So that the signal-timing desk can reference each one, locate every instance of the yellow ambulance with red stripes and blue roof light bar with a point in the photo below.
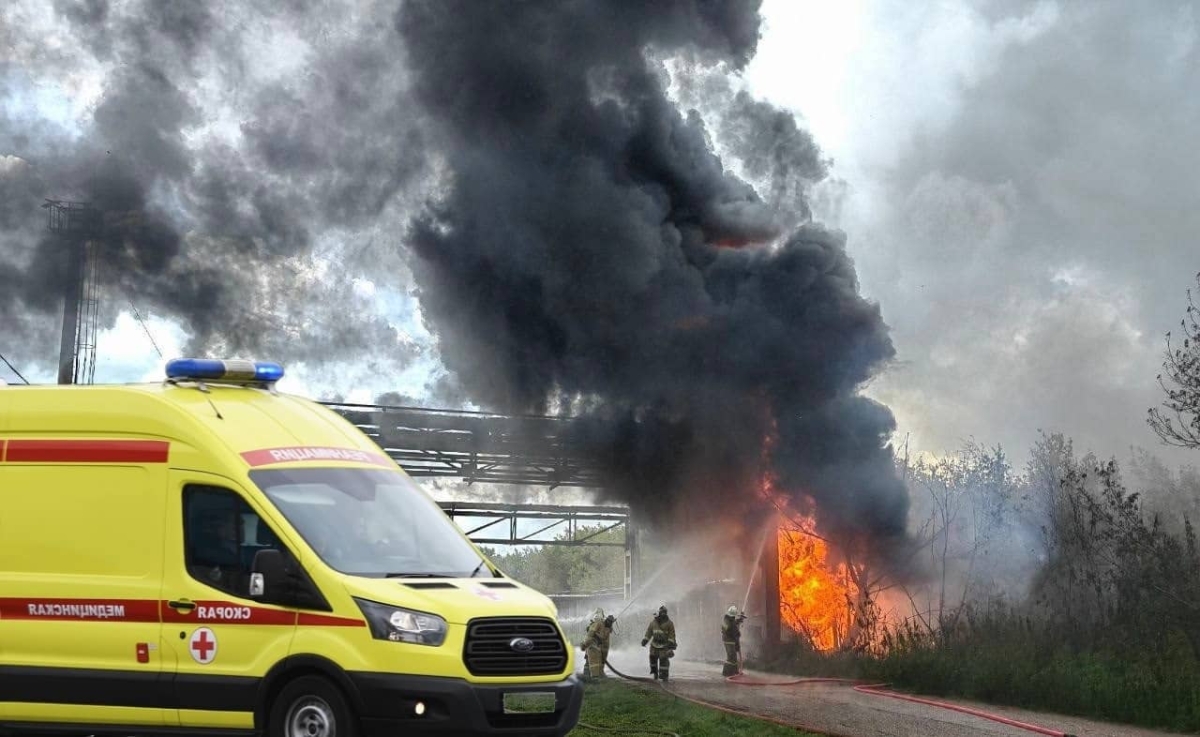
(207, 555)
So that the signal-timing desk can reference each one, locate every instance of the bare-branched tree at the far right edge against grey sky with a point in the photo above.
(1178, 423)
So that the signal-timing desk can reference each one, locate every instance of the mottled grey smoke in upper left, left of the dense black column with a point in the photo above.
(223, 232)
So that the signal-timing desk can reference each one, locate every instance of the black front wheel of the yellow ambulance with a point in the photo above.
(311, 706)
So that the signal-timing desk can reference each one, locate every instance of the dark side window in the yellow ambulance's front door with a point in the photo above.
(221, 537)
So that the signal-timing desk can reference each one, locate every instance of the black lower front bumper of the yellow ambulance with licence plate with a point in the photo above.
(457, 708)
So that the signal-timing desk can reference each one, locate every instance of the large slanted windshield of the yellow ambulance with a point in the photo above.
(370, 523)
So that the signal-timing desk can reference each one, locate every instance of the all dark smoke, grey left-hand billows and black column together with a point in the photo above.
(584, 248)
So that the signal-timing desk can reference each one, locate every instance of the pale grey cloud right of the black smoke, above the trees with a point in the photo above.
(1037, 237)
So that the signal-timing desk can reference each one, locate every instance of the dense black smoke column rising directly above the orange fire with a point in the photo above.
(592, 253)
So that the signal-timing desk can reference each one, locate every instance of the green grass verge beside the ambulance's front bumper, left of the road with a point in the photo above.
(628, 706)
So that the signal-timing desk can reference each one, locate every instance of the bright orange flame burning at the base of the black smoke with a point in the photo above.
(815, 598)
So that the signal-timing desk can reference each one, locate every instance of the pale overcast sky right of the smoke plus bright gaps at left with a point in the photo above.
(1018, 183)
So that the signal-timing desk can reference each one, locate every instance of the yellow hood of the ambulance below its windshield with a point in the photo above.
(457, 601)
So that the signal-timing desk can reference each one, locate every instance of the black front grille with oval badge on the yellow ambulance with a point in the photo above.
(487, 650)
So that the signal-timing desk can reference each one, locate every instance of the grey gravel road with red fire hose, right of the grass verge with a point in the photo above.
(843, 711)
